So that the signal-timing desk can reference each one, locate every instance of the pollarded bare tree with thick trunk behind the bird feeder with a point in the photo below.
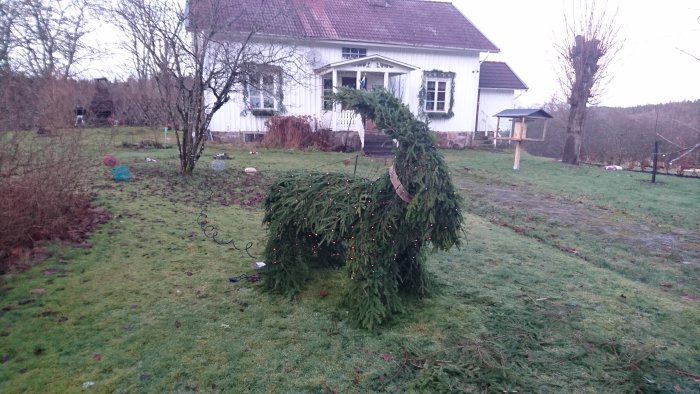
(591, 42)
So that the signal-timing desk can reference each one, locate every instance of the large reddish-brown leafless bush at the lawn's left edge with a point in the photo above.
(41, 193)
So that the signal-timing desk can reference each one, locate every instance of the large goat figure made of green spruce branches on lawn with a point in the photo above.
(322, 219)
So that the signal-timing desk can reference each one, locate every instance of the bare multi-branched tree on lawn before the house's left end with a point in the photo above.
(200, 55)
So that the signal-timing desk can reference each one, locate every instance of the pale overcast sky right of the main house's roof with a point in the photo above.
(650, 68)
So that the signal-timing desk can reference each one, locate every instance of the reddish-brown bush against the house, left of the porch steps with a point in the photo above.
(294, 132)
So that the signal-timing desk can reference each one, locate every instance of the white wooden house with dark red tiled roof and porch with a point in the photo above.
(426, 52)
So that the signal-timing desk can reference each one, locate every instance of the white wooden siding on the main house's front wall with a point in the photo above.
(305, 97)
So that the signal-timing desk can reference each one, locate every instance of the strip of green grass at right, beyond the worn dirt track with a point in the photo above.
(672, 200)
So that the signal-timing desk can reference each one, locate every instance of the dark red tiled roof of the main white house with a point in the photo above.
(404, 22)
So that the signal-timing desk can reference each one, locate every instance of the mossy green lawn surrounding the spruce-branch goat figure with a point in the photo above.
(570, 279)
